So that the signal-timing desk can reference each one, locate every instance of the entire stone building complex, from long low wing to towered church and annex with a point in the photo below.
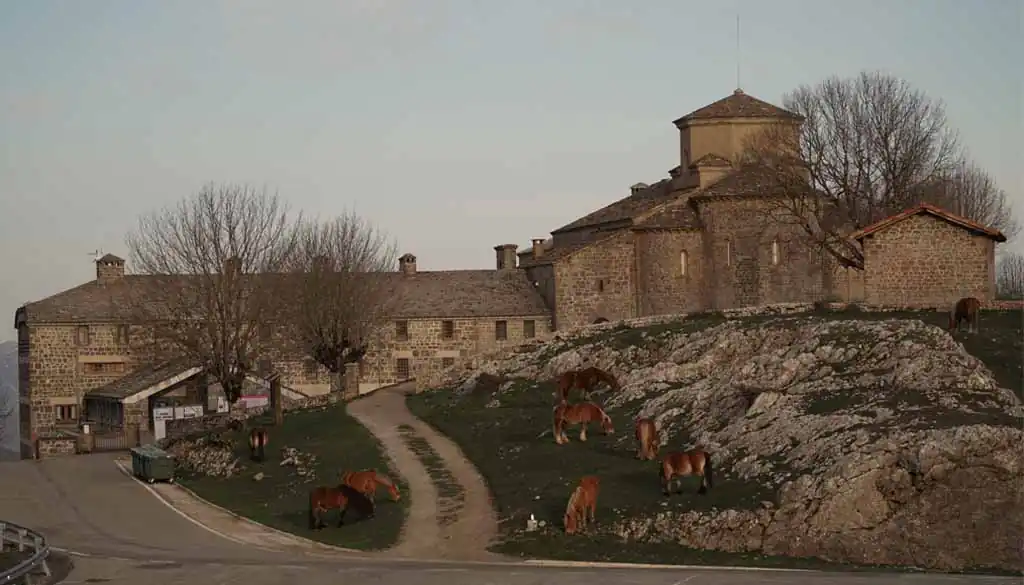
(696, 240)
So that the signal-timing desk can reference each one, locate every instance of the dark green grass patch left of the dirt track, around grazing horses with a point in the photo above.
(281, 498)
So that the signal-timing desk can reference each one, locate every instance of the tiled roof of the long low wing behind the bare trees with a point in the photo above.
(426, 295)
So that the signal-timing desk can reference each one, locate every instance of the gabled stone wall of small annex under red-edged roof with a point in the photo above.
(927, 263)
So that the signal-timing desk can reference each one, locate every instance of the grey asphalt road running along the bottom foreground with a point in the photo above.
(117, 533)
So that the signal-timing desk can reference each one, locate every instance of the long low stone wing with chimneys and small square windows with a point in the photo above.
(77, 350)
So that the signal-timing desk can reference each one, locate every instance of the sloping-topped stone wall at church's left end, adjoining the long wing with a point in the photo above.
(596, 282)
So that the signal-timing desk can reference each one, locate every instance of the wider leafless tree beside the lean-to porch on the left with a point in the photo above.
(215, 264)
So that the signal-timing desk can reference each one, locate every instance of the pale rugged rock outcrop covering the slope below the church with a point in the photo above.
(881, 442)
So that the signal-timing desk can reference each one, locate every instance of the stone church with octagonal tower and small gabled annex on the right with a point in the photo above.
(704, 238)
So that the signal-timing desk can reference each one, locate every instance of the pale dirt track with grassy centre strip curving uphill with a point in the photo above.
(436, 529)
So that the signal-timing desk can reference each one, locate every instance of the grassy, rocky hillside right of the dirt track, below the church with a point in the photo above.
(869, 439)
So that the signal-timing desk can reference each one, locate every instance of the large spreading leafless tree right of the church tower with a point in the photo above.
(870, 147)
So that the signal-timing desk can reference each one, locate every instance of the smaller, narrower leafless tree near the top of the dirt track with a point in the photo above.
(344, 286)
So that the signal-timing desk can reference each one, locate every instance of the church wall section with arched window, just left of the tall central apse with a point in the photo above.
(665, 287)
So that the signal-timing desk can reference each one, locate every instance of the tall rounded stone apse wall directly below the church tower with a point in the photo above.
(739, 257)
